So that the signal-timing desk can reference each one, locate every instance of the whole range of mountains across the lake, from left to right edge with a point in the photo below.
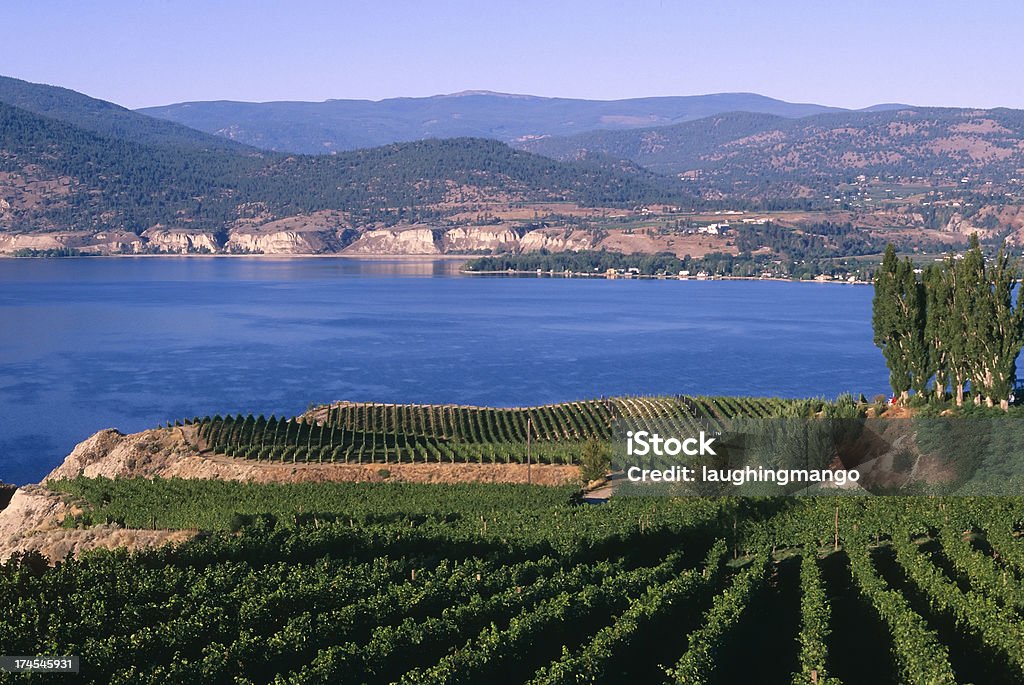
(73, 163)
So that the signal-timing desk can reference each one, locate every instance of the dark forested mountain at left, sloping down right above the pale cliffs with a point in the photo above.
(55, 176)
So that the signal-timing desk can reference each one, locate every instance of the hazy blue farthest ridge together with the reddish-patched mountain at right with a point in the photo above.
(738, 145)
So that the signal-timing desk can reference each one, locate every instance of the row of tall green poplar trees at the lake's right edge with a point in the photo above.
(953, 328)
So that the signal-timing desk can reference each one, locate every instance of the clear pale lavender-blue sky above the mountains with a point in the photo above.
(854, 55)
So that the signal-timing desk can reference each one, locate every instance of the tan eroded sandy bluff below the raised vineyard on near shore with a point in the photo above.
(33, 519)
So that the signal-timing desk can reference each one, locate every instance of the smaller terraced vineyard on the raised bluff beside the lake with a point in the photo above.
(353, 433)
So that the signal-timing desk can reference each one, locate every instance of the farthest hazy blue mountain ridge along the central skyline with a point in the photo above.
(339, 125)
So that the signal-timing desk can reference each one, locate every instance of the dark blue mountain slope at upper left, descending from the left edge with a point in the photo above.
(105, 118)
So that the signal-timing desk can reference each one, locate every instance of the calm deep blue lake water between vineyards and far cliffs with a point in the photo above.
(88, 345)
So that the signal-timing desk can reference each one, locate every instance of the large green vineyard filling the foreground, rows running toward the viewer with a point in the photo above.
(398, 583)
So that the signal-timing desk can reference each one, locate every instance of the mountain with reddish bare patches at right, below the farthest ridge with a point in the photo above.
(755, 149)
